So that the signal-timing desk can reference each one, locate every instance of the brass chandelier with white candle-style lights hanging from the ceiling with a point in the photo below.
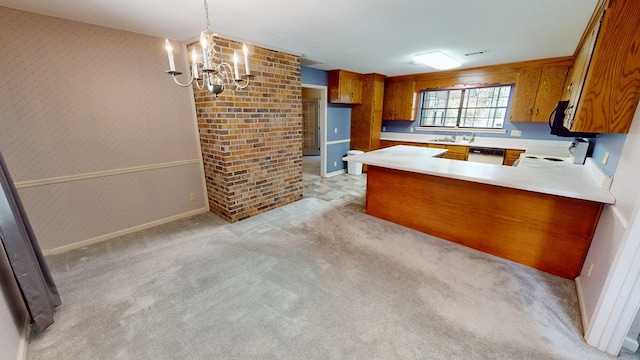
(211, 72)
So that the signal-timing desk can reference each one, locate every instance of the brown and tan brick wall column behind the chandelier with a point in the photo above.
(251, 139)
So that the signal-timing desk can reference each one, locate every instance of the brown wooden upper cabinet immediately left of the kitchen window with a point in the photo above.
(399, 100)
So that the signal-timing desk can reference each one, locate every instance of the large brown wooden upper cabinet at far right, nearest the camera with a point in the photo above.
(604, 86)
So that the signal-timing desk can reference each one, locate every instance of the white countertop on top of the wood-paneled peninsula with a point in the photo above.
(554, 178)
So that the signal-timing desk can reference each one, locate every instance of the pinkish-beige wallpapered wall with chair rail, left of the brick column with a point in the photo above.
(97, 138)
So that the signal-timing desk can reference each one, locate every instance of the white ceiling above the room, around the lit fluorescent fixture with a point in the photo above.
(359, 35)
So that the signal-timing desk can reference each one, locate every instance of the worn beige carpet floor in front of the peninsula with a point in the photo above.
(317, 279)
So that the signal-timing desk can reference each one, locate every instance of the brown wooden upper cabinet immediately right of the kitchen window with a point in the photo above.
(536, 93)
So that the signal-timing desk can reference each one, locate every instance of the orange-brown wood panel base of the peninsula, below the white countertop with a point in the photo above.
(547, 232)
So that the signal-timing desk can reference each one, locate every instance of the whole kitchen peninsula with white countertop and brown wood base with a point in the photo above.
(540, 217)
